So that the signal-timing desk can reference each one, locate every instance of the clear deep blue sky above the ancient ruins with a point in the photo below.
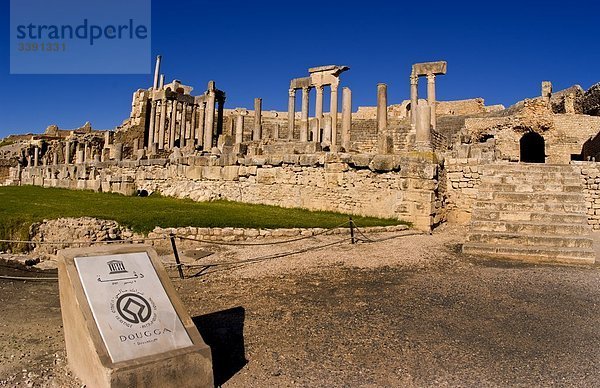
(499, 50)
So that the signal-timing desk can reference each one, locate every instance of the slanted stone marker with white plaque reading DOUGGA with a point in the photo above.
(124, 324)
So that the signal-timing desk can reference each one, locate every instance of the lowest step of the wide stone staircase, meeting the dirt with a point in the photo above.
(562, 255)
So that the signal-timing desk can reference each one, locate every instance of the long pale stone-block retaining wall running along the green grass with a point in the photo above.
(401, 187)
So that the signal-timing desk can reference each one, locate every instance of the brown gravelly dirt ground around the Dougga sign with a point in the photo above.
(408, 311)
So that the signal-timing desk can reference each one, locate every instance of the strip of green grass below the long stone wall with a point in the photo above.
(20, 206)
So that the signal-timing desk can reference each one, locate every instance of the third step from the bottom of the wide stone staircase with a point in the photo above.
(533, 228)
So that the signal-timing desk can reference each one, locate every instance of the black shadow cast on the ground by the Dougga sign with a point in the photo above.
(223, 331)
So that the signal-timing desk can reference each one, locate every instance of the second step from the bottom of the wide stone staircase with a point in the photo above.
(521, 239)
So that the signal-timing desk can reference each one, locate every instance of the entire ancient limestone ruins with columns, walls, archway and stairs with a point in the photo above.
(420, 160)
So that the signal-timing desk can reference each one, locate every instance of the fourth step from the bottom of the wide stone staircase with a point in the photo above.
(561, 217)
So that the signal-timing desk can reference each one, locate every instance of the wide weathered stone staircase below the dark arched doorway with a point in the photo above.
(531, 212)
